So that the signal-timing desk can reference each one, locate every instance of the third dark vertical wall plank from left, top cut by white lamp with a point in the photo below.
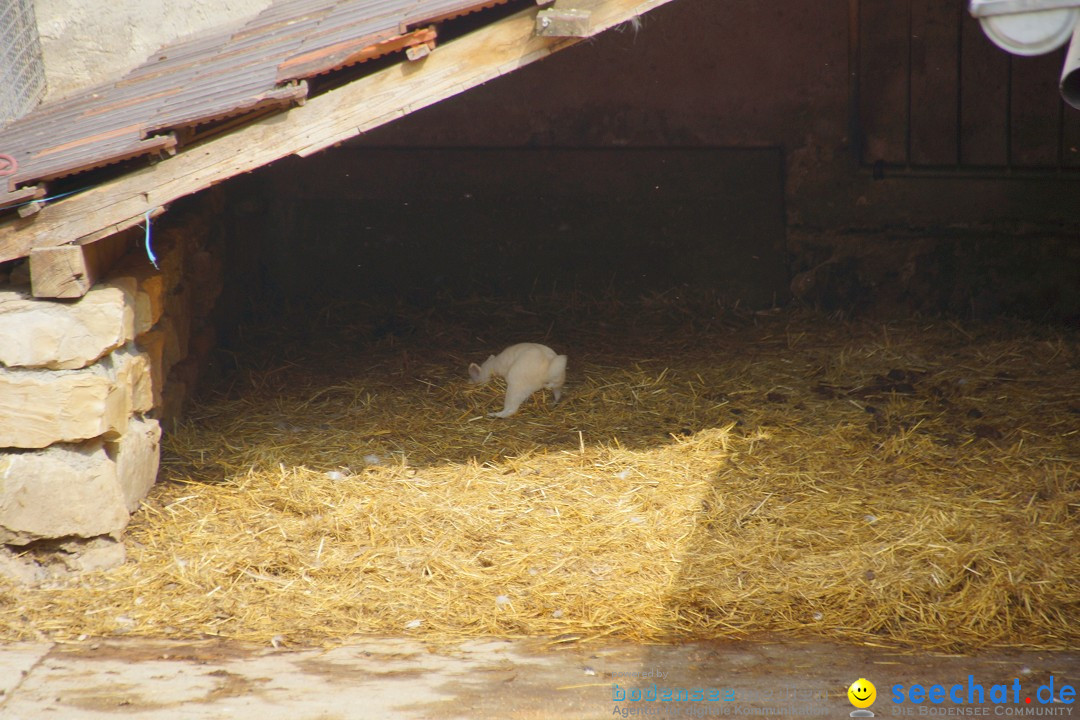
(984, 99)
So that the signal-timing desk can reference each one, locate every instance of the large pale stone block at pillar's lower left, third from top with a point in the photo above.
(64, 491)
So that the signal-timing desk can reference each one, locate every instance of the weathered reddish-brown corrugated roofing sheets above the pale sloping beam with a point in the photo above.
(262, 64)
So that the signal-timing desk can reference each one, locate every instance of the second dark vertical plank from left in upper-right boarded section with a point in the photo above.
(936, 29)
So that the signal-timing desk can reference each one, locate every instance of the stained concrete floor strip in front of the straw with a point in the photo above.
(388, 678)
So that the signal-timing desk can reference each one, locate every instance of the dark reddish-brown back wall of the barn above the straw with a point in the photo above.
(723, 147)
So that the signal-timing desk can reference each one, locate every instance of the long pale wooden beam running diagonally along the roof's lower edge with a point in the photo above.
(337, 116)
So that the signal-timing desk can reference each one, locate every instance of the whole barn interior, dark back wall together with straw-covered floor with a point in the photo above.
(816, 269)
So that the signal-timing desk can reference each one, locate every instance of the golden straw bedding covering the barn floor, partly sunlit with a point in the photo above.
(709, 474)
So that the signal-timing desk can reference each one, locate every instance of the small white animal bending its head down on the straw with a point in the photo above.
(528, 368)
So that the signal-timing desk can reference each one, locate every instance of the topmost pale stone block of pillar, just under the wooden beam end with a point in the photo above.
(61, 335)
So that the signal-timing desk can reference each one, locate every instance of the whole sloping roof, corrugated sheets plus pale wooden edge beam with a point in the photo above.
(253, 72)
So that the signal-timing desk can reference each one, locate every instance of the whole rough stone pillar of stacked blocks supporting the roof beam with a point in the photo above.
(86, 387)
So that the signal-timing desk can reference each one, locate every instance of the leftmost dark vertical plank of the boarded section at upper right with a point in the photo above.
(883, 86)
